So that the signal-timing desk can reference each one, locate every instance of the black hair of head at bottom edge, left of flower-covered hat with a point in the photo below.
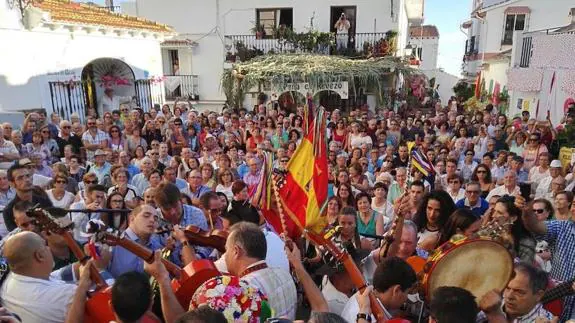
(131, 296)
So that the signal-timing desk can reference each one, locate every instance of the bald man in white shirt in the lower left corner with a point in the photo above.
(31, 293)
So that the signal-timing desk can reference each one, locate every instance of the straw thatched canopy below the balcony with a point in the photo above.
(374, 74)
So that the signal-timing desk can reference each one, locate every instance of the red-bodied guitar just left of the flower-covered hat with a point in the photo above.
(186, 281)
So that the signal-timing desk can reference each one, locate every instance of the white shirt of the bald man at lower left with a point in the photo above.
(37, 300)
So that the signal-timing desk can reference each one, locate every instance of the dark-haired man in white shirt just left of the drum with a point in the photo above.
(391, 282)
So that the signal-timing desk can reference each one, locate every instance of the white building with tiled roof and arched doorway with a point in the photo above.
(59, 55)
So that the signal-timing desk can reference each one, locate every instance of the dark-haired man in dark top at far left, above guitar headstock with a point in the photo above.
(20, 177)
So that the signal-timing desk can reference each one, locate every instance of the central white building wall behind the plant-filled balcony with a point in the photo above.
(210, 29)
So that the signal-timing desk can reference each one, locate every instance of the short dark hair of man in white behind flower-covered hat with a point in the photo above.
(251, 238)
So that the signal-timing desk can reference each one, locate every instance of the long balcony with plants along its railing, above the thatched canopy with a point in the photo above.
(359, 45)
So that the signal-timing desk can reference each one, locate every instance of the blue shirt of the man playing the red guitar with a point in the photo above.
(124, 261)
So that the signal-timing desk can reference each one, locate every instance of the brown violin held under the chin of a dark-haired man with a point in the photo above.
(214, 238)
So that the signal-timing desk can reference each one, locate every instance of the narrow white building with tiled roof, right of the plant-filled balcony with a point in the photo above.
(424, 41)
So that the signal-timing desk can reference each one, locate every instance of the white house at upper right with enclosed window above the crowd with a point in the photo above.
(491, 33)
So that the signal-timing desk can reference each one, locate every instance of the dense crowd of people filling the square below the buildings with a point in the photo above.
(153, 173)
